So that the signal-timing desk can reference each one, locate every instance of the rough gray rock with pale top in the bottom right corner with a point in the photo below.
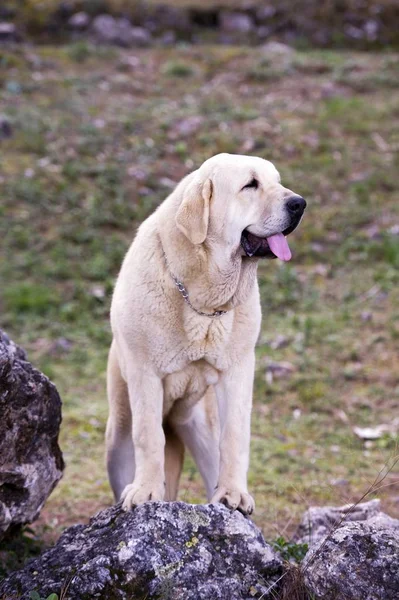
(354, 553)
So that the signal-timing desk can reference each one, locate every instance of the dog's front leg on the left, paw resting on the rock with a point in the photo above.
(146, 402)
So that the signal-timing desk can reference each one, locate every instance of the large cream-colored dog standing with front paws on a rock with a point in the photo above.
(185, 319)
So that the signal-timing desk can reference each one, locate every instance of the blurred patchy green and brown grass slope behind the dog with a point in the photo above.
(94, 150)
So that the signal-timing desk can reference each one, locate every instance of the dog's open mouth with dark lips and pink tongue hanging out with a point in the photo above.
(273, 246)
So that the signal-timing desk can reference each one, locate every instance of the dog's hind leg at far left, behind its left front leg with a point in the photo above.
(119, 443)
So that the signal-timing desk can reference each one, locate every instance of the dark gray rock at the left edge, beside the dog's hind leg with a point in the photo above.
(31, 462)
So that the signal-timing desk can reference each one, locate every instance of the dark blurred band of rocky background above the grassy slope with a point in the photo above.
(370, 23)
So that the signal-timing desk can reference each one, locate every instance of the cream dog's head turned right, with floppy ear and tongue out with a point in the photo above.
(239, 201)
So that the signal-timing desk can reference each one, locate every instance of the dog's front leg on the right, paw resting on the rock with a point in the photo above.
(234, 394)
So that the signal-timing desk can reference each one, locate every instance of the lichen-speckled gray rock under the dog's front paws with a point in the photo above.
(159, 550)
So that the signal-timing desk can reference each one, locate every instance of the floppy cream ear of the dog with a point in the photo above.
(193, 215)
